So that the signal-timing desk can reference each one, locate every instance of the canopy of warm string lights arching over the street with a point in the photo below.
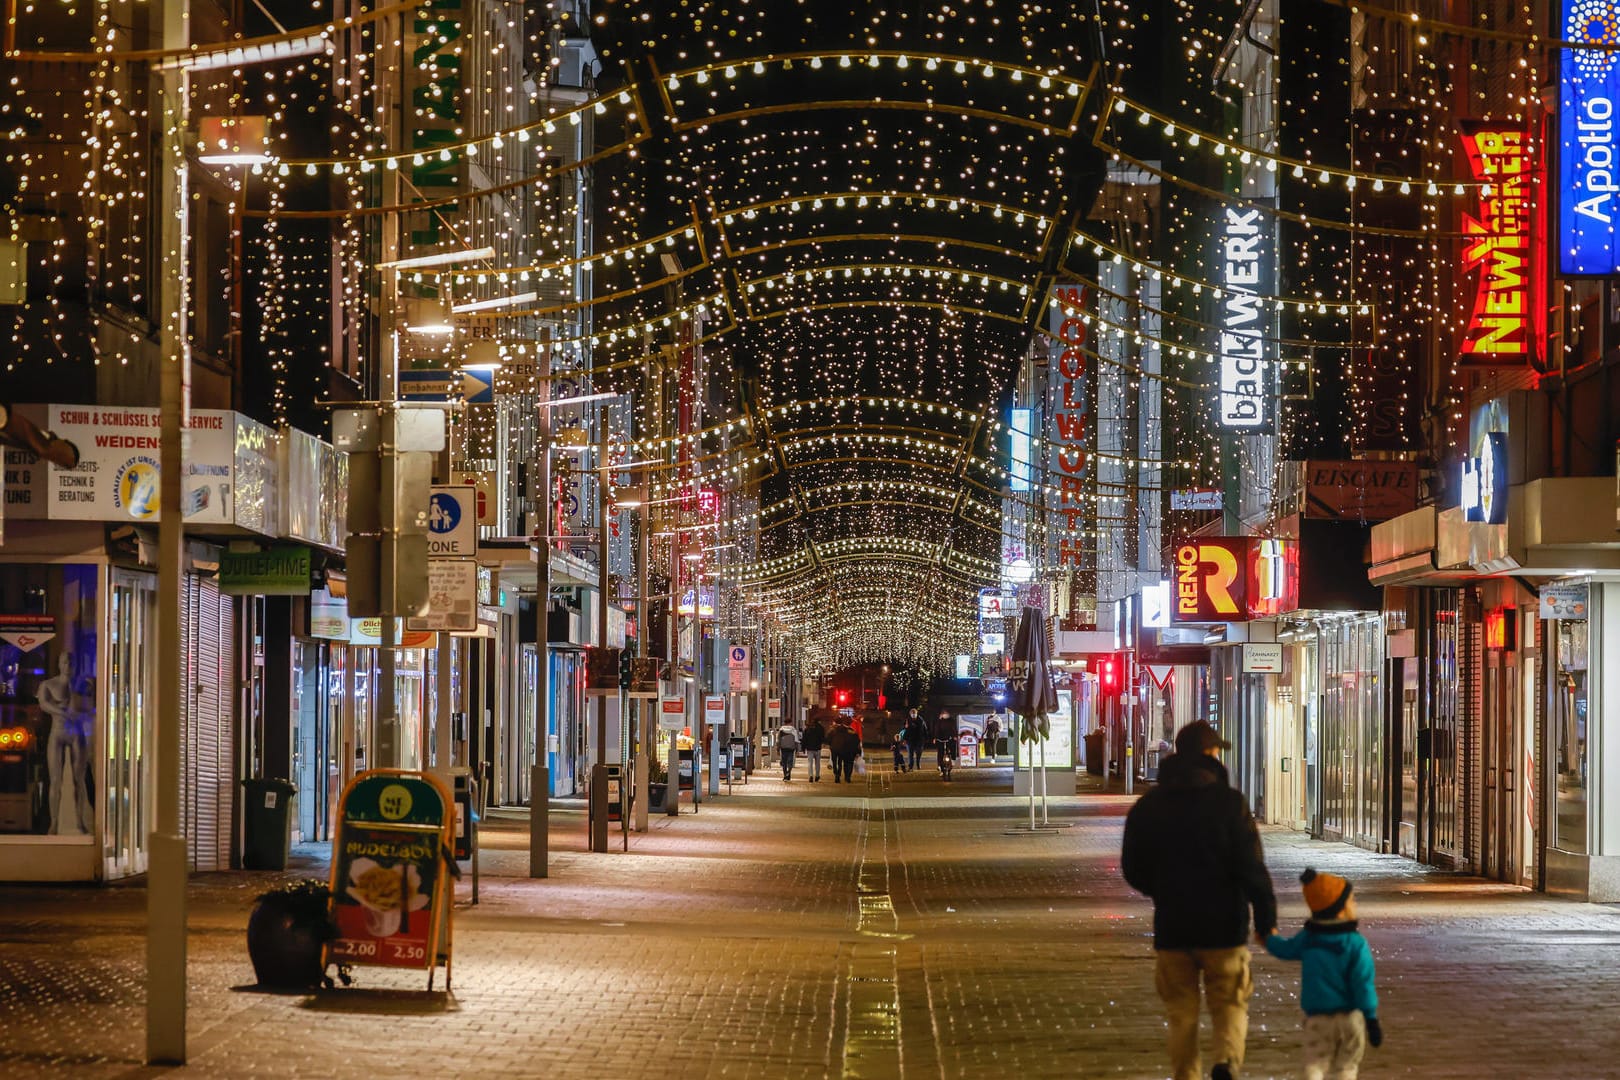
(866, 218)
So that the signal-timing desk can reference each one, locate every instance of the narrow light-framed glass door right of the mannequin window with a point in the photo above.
(130, 700)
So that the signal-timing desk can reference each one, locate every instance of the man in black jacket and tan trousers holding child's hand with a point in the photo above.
(1192, 846)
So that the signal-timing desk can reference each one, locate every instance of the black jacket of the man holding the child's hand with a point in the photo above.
(1192, 846)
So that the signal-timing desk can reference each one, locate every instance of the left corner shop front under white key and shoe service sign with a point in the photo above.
(79, 640)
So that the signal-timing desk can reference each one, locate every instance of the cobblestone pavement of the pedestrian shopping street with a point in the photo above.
(897, 927)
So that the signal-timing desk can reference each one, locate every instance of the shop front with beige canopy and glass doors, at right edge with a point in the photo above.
(1498, 702)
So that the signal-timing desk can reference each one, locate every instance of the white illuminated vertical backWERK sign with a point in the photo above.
(1245, 373)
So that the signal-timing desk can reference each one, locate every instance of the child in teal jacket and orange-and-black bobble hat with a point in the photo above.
(1337, 992)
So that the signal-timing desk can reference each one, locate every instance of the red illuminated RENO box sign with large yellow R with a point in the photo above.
(1234, 579)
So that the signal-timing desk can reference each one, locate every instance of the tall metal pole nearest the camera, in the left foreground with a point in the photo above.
(166, 895)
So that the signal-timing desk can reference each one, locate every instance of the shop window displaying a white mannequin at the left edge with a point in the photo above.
(48, 700)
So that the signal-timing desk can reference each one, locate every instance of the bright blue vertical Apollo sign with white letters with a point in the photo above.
(1588, 150)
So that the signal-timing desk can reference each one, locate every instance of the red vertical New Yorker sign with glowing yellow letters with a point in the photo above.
(1499, 245)
